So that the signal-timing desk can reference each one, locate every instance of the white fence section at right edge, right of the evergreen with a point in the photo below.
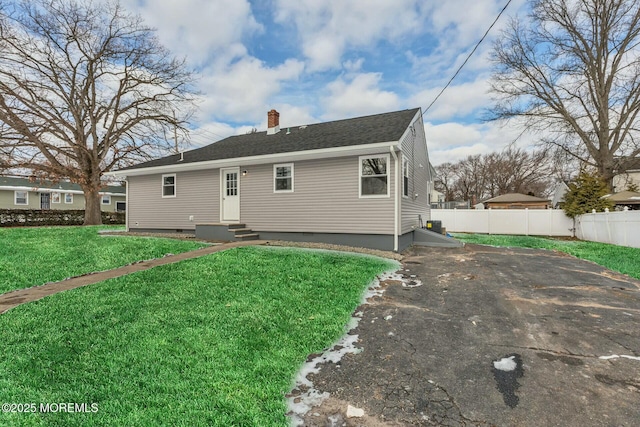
(619, 228)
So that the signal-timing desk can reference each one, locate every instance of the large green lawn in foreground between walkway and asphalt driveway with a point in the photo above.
(213, 341)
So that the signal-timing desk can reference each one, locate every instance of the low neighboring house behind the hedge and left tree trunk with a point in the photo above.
(22, 193)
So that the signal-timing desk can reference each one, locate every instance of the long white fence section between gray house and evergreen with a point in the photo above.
(535, 222)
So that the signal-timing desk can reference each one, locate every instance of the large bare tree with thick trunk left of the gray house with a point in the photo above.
(85, 87)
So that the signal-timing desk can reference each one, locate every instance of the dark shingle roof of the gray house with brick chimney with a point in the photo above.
(384, 127)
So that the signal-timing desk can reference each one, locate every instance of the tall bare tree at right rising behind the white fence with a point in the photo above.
(572, 72)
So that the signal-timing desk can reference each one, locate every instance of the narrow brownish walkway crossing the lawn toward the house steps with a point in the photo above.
(22, 296)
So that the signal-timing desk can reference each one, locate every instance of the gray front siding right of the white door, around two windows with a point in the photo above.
(325, 200)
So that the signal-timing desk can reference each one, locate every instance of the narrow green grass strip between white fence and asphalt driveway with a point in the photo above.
(618, 258)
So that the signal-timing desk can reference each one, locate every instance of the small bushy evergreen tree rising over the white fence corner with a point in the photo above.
(585, 194)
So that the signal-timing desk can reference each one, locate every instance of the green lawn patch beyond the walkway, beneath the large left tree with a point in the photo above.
(33, 256)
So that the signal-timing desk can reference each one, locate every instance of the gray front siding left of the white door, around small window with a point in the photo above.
(197, 194)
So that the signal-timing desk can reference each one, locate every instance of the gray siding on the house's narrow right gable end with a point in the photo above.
(414, 148)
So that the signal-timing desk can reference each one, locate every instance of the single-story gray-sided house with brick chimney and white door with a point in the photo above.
(361, 182)
